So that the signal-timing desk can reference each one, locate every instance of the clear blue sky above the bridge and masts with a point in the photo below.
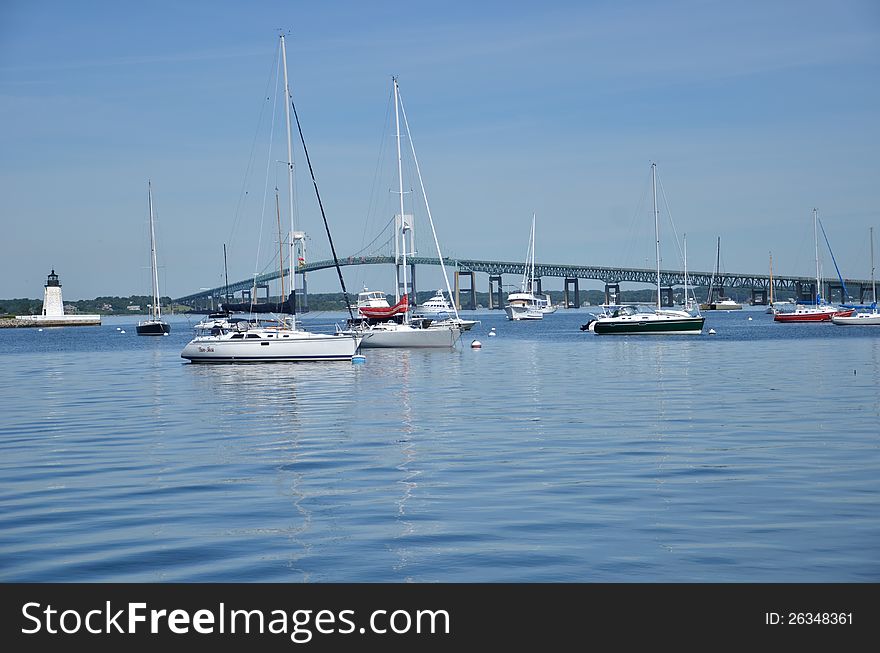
(755, 113)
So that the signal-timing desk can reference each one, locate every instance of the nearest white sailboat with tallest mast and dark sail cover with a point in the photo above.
(277, 339)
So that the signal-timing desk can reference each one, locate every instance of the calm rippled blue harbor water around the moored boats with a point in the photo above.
(550, 454)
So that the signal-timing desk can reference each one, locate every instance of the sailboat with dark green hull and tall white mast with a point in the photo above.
(631, 319)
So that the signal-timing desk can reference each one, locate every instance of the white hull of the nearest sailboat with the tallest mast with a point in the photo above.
(299, 346)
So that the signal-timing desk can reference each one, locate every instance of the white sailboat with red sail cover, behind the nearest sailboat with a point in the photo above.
(401, 329)
